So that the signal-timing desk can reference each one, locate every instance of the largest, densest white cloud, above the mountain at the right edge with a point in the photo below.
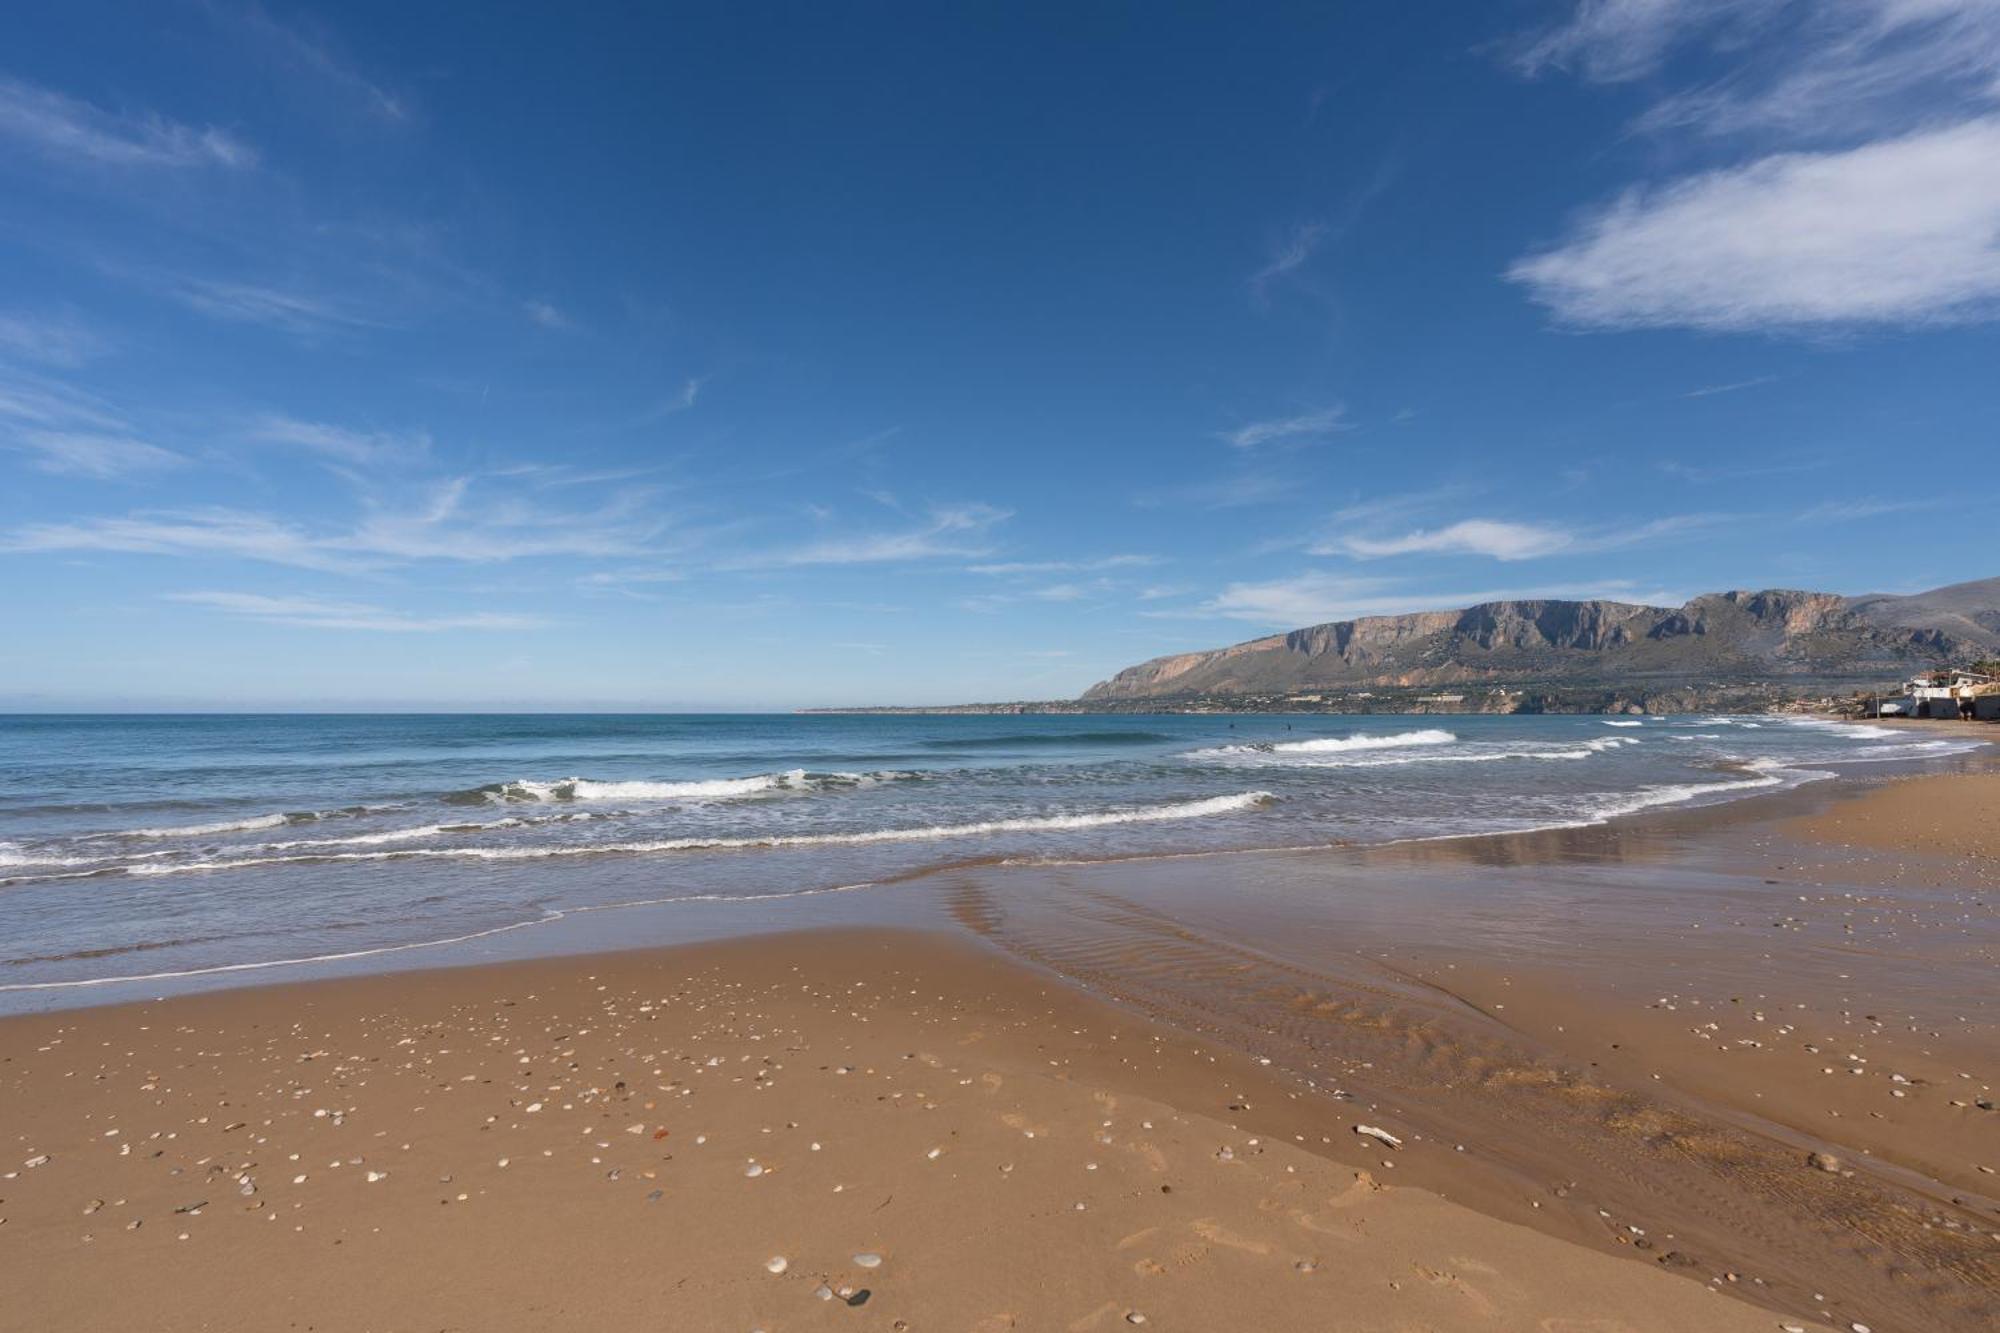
(1893, 233)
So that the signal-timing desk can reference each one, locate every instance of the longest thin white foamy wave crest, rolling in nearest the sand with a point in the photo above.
(1029, 824)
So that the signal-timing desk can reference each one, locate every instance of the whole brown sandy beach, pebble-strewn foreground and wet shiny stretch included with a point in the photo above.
(1711, 1072)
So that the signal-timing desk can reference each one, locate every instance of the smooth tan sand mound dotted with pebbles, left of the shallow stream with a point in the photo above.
(915, 1134)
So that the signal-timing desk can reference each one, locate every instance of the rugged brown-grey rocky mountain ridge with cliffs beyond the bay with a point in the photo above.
(1717, 639)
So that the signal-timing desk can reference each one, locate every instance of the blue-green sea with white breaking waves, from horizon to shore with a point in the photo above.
(165, 848)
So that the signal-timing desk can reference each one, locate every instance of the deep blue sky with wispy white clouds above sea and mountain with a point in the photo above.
(785, 355)
